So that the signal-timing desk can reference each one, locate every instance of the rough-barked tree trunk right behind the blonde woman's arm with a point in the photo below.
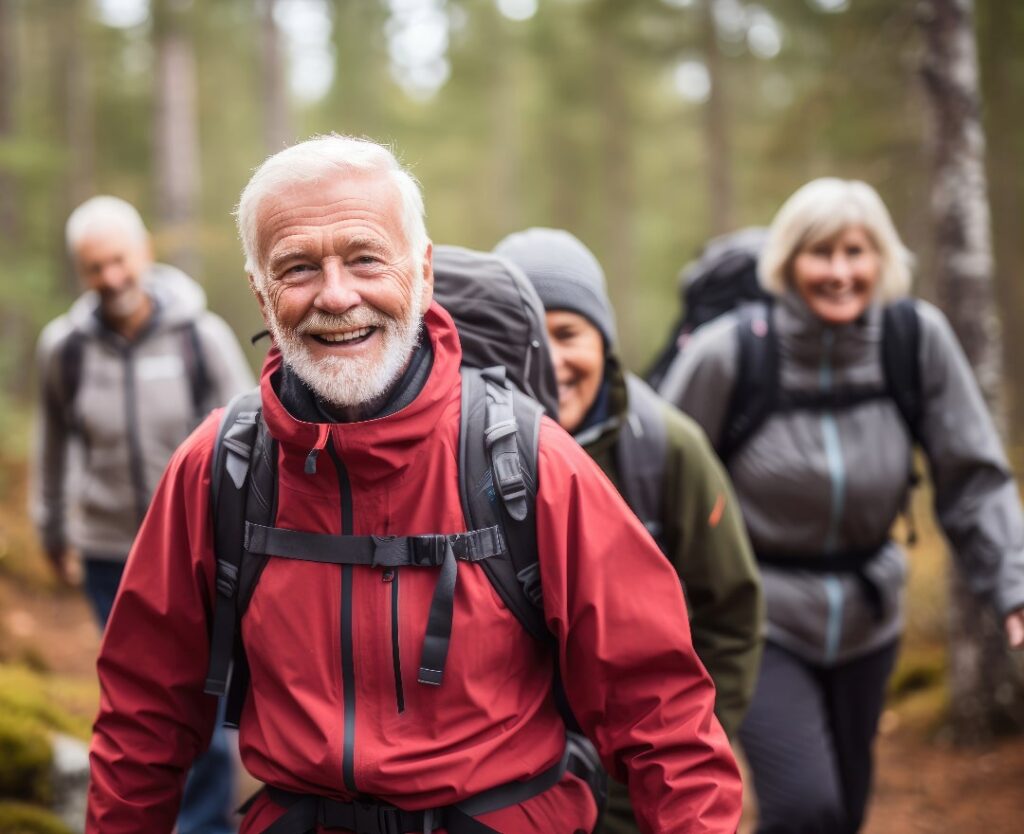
(985, 681)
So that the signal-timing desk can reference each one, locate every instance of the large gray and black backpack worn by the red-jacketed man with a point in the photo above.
(498, 448)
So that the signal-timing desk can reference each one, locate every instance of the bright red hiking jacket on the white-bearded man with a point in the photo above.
(322, 719)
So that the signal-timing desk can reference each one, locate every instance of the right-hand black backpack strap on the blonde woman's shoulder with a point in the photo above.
(902, 362)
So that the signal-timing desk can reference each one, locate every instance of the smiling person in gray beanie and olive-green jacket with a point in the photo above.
(671, 478)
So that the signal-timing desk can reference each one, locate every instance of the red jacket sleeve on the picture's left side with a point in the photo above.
(154, 719)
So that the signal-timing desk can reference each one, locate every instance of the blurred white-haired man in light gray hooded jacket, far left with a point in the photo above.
(125, 376)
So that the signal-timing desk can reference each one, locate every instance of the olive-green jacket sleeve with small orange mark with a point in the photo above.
(710, 550)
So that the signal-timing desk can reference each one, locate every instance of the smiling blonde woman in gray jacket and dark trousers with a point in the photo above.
(816, 402)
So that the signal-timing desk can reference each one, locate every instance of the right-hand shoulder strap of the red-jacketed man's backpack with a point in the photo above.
(490, 409)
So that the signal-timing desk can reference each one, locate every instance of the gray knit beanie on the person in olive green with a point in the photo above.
(565, 273)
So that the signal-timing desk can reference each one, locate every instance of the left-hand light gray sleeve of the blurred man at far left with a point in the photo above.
(52, 436)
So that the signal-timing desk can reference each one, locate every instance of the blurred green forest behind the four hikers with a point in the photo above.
(644, 127)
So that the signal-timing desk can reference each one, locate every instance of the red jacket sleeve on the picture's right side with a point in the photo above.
(630, 673)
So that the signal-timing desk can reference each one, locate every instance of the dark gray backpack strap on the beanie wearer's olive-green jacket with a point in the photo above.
(642, 451)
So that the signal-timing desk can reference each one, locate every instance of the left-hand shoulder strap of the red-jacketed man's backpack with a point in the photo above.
(230, 487)
